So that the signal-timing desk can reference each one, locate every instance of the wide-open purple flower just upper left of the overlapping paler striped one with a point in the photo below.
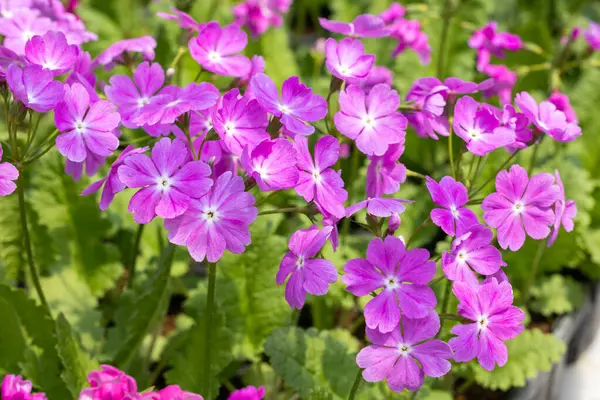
(168, 181)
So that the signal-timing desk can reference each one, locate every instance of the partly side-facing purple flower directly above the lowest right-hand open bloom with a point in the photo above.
(472, 251)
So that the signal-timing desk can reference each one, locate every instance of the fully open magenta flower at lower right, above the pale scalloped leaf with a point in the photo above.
(495, 320)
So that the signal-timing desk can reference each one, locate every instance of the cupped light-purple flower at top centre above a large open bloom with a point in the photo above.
(347, 60)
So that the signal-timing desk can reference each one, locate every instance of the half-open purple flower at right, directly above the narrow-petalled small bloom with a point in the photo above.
(479, 128)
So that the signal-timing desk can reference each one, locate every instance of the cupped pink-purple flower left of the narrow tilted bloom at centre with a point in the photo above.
(272, 163)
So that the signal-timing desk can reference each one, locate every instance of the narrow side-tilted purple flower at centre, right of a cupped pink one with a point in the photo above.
(317, 181)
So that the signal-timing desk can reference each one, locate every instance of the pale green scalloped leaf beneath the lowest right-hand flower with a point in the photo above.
(529, 353)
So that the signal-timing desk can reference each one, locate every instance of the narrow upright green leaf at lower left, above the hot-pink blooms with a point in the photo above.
(75, 362)
